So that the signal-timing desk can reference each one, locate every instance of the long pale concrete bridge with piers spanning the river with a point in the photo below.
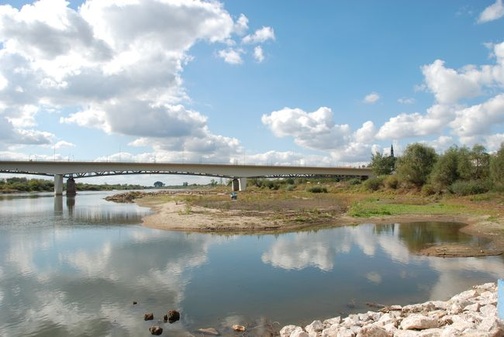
(239, 173)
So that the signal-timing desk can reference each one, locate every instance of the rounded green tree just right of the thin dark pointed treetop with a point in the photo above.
(415, 165)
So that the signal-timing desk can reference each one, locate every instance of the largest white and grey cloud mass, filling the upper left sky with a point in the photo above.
(112, 65)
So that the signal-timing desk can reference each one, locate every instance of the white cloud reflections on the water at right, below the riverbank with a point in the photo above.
(321, 249)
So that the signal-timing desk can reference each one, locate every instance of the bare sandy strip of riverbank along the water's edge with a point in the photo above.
(178, 216)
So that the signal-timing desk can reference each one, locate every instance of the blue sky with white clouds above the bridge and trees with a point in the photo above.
(298, 82)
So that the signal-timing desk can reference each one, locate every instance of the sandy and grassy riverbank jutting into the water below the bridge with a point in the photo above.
(264, 211)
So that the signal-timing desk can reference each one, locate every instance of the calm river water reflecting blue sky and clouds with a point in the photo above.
(75, 267)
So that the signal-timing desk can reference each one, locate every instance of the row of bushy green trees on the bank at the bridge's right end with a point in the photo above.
(459, 170)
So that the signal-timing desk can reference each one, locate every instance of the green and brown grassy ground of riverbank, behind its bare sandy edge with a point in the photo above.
(300, 206)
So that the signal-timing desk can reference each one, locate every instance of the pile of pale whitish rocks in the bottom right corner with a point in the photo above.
(470, 313)
